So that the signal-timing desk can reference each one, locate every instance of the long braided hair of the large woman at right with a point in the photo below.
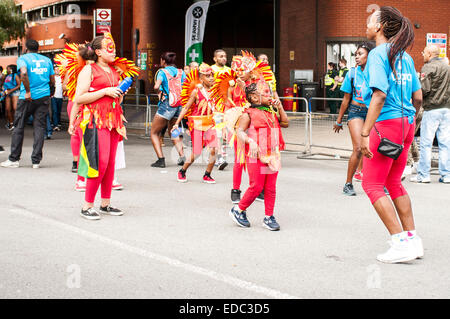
(398, 30)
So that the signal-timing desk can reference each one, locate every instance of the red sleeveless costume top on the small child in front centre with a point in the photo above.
(265, 130)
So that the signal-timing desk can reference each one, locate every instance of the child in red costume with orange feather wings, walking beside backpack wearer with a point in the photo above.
(198, 106)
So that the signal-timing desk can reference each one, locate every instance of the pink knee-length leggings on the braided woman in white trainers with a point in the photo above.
(380, 170)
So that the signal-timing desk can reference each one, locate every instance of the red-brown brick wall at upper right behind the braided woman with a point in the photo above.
(347, 18)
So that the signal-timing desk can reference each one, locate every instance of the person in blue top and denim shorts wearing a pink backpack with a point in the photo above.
(167, 115)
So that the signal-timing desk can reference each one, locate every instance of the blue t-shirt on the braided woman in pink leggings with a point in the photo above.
(380, 76)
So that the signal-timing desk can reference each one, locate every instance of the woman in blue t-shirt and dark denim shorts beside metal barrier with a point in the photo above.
(357, 95)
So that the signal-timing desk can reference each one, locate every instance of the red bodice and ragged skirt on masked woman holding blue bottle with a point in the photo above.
(106, 110)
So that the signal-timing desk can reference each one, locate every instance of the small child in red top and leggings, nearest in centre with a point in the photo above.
(263, 143)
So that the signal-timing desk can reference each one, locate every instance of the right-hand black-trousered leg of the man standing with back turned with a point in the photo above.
(39, 124)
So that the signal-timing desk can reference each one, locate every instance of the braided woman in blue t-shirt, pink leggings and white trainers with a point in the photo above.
(396, 97)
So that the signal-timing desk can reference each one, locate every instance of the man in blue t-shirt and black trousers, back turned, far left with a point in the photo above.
(36, 75)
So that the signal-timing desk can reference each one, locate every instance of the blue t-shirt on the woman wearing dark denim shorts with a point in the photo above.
(362, 93)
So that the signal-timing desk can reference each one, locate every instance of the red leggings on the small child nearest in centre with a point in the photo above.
(261, 178)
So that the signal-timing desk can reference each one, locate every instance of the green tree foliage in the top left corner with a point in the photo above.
(12, 22)
